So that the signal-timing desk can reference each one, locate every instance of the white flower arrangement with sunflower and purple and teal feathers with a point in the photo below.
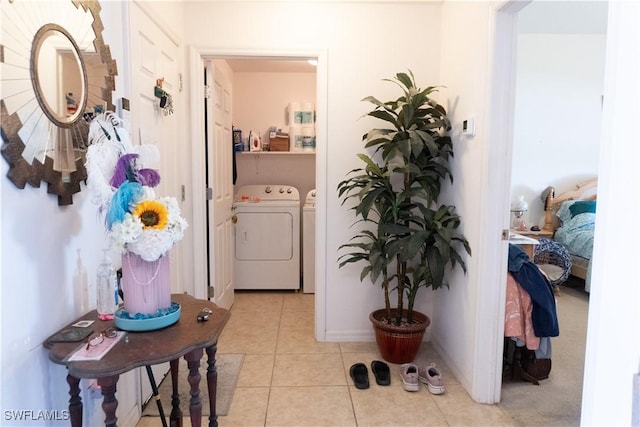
(137, 221)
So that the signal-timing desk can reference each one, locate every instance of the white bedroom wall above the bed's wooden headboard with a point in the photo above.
(558, 114)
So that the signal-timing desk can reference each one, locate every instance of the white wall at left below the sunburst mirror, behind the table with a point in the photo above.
(49, 256)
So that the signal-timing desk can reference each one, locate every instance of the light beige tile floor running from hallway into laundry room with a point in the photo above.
(289, 379)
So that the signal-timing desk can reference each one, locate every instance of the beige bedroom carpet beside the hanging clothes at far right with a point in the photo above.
(557, 400)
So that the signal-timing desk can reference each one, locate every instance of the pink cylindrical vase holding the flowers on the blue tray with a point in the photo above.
(146, 285)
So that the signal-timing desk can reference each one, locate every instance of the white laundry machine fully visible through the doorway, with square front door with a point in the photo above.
(267, 237)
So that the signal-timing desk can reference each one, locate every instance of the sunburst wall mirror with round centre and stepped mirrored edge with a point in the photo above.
(55, 74)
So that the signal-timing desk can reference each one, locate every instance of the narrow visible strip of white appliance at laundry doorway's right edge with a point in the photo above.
(309, 243)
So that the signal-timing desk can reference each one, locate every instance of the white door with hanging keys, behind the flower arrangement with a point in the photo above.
(155, 56)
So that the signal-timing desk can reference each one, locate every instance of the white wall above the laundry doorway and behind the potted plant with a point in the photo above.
(363, 47)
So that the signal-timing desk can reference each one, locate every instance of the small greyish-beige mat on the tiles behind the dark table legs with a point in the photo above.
(228, 366)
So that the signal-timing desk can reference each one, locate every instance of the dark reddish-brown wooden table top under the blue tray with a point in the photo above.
(145, 348)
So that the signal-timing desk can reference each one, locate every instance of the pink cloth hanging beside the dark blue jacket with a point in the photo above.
(517, 315)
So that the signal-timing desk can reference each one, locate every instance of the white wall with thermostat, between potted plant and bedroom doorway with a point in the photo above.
(472, 303)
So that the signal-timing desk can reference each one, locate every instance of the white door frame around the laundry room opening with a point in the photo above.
(198, 59)
